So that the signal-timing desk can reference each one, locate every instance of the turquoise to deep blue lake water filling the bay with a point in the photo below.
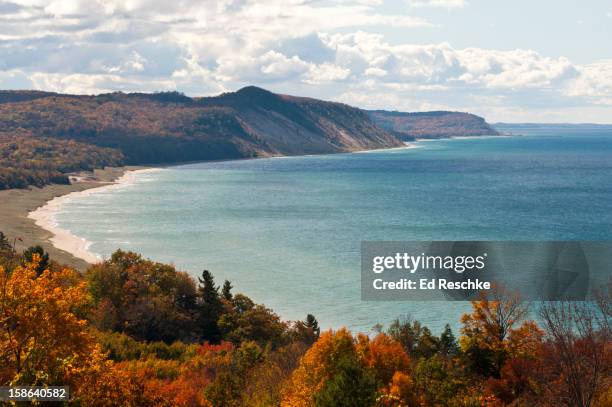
(287, 231)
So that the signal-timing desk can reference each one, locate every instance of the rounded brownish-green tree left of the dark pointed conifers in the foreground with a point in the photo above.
(147, 300)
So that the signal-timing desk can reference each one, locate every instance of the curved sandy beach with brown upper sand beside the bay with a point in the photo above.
(26, 216)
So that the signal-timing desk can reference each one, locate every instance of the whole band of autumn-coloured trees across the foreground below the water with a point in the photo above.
(139, 333)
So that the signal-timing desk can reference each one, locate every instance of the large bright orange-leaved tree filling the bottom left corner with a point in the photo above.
(45, 341)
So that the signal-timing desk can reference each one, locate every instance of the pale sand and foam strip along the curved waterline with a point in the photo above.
(62, 239)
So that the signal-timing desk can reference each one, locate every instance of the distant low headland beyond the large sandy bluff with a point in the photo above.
(439, 124)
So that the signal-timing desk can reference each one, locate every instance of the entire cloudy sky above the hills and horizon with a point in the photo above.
(512, 61)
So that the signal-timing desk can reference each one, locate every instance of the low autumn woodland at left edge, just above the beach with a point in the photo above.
(26, 161)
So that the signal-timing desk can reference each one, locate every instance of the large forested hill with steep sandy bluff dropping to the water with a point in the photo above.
(36, 128)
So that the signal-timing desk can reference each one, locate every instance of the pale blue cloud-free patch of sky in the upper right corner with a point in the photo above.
(578, 30)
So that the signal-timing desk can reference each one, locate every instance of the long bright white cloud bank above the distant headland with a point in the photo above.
(442, 64)
